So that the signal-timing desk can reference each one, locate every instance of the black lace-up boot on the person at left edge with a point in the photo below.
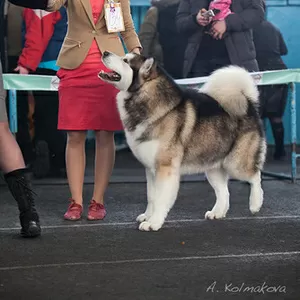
(19, 185)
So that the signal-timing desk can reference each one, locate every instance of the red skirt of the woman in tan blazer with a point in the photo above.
(85, 101)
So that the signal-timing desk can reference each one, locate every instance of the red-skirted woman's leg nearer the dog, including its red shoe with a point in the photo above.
(104, 163)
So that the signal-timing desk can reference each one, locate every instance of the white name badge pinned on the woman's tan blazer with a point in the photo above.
(114, 17)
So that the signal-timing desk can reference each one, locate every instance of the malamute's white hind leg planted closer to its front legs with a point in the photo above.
(218, 179)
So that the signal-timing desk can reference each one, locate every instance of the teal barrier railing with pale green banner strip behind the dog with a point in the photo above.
(14, 82)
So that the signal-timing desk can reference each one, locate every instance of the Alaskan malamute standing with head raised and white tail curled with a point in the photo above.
(174, 131)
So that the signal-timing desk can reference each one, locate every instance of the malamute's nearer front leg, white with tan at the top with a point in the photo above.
(166, 186)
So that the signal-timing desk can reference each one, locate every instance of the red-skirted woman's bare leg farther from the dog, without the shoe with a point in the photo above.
(75, 163)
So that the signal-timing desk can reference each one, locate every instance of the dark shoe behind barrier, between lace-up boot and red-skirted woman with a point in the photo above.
(41, 165)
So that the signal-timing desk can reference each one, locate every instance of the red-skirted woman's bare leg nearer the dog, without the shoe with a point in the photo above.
(104, 163)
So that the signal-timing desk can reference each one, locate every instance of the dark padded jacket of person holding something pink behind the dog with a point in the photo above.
(238, 39)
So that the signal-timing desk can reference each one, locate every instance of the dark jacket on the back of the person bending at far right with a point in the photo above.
(270, 46)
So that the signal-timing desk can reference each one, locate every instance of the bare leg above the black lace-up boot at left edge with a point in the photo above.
(10, 154)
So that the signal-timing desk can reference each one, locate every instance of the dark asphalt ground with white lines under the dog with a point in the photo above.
(240, 257)
